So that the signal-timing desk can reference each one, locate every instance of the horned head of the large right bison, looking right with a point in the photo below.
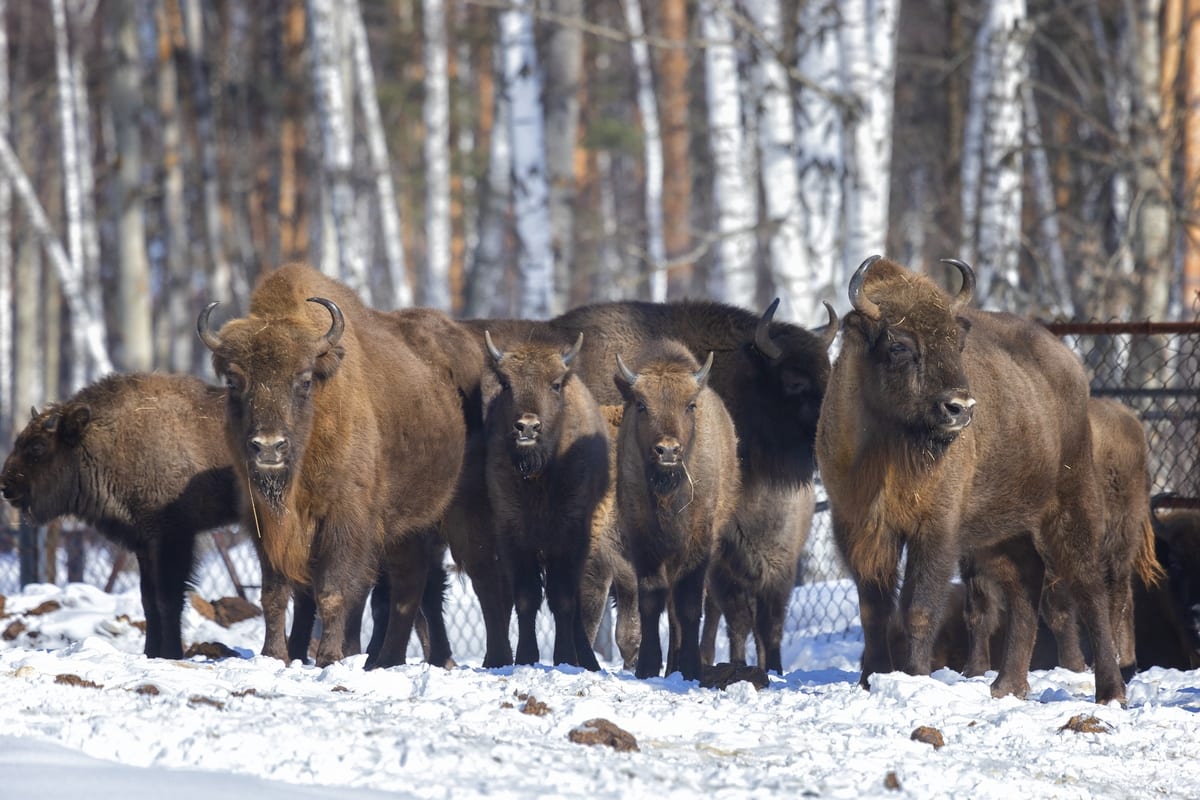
(911, 336)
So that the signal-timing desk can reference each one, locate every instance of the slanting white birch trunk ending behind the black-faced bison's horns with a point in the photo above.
(779, 175)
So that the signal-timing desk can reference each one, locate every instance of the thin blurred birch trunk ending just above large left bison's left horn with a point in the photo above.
(224, 284)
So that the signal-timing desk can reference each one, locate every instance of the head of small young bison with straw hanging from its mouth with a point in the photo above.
(661, 402)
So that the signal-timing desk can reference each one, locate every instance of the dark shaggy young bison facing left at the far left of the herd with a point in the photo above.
(142, 459)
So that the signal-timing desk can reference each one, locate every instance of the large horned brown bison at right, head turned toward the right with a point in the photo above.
(951, 432)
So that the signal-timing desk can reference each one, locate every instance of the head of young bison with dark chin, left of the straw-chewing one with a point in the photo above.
(530, 398)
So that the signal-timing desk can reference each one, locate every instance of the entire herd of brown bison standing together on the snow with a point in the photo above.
(662, 454)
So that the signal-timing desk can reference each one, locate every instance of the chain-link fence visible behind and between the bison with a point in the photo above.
(1151, 368)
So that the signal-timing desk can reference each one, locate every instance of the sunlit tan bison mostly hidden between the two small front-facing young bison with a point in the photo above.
(609, 567)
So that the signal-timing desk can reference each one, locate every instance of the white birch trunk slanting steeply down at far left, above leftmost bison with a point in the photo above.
(87, 320)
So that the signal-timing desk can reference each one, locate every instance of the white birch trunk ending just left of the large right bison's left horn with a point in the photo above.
(819, 147)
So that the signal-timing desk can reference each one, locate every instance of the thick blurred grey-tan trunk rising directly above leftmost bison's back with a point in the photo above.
(134, 268)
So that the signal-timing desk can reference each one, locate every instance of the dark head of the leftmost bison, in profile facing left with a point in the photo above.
(45, 461)
